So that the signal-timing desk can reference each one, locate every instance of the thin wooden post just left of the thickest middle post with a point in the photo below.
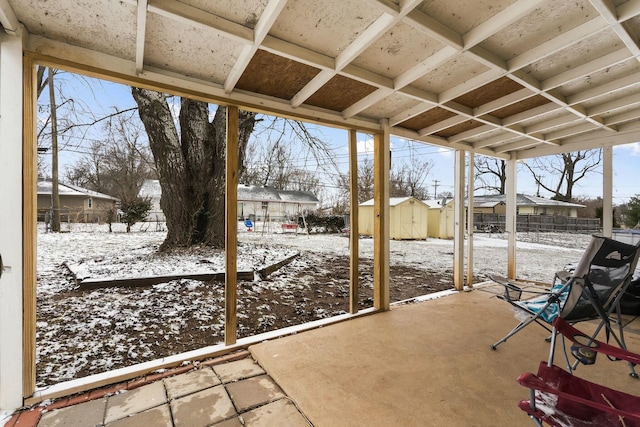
(353, 222)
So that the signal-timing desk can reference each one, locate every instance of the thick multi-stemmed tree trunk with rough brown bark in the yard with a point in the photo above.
(190, 166)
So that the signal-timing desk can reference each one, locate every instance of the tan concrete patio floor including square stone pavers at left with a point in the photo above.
(419, 364)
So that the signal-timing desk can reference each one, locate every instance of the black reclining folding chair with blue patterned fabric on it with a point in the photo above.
(592, 291)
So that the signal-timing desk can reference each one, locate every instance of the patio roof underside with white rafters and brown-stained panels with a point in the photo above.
(513, 79)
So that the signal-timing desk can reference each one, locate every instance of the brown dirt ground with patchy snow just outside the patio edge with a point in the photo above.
(134, 325)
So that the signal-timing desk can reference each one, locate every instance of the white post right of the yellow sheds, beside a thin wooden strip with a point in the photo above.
(458, 220)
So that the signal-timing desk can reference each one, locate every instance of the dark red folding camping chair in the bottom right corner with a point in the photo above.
(559, 398)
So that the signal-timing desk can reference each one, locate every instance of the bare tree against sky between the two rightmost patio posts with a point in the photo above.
(560, 173)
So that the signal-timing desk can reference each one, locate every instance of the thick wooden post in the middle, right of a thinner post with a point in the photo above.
(381, 165)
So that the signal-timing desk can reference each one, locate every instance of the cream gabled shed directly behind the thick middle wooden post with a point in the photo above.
(407, 218)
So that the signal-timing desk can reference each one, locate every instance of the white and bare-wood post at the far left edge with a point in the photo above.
(17, 245)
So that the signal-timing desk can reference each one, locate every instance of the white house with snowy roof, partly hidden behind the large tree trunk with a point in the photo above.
(254, 202)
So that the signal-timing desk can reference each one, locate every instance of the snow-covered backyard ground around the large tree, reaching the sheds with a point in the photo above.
(85, 332)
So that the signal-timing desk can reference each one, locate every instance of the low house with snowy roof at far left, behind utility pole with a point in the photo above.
(77, 204)
